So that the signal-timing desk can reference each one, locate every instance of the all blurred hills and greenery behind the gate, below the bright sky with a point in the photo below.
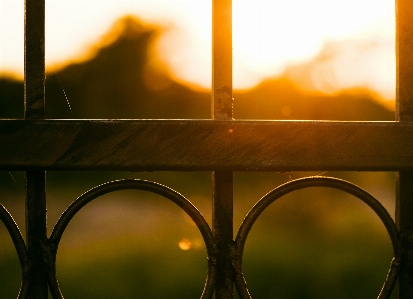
(311, 244)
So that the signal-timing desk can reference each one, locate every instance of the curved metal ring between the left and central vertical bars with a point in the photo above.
(136, 184)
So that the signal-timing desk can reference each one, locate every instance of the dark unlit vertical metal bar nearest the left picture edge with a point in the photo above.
(34, 107)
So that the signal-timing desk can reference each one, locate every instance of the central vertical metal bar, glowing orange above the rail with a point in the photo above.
(222, 207)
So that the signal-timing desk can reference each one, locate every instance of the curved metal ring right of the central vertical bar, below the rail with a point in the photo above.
(318, 181)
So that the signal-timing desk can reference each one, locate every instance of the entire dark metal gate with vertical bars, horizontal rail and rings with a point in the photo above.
(221, 145)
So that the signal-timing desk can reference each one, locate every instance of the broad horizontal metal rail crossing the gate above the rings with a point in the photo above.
(149, 145)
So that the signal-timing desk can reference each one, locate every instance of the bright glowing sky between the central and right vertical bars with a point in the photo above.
(286, 33)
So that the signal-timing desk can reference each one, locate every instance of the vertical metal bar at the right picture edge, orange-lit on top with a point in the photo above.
(404, 113)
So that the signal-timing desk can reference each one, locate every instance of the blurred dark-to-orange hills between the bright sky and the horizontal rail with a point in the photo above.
(120, 82)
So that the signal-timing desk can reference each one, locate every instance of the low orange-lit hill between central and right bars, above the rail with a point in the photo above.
(281, 99)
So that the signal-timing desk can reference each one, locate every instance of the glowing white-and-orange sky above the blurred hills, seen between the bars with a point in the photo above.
(268, 36)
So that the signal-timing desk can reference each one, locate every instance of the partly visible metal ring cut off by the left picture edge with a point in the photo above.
(20, 246)
